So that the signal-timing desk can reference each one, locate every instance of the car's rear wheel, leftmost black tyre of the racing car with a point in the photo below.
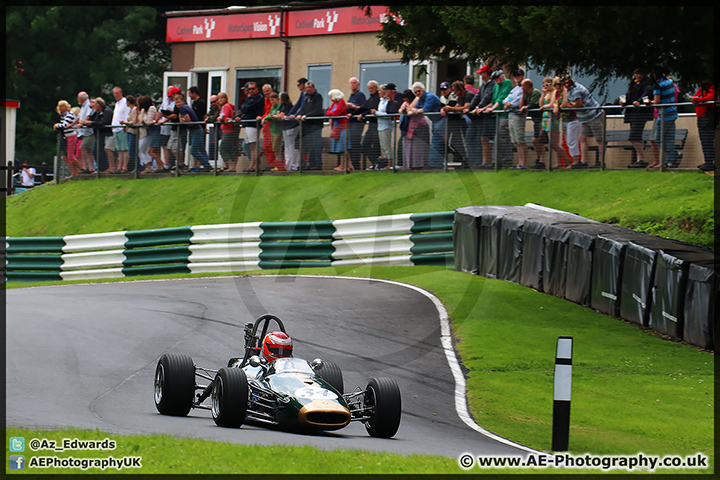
(174, 384)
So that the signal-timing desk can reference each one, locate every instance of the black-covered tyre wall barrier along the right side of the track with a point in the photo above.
(665, 285)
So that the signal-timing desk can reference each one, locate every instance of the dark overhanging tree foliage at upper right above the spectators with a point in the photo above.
(601, 41)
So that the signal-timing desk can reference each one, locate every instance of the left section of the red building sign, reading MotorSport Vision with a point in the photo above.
(223, 27)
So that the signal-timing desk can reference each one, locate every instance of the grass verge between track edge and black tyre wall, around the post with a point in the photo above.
(632, 391)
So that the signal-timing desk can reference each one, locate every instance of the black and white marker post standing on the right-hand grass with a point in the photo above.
(561, 395)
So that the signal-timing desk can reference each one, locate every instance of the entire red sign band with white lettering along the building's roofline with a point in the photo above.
(268, 25)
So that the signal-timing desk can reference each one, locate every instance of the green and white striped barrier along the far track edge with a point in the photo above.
(405, 239)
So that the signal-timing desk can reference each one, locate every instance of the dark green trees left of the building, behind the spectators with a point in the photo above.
(54, 52)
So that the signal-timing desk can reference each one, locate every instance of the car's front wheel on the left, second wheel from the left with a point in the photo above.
(229, 397)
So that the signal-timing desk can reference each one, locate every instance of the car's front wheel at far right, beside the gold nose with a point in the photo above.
(382, 399)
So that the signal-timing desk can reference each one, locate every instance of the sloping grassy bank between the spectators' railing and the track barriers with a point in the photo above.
(676, 205)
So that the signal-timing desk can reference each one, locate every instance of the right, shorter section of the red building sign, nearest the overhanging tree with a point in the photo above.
(334, 20)
